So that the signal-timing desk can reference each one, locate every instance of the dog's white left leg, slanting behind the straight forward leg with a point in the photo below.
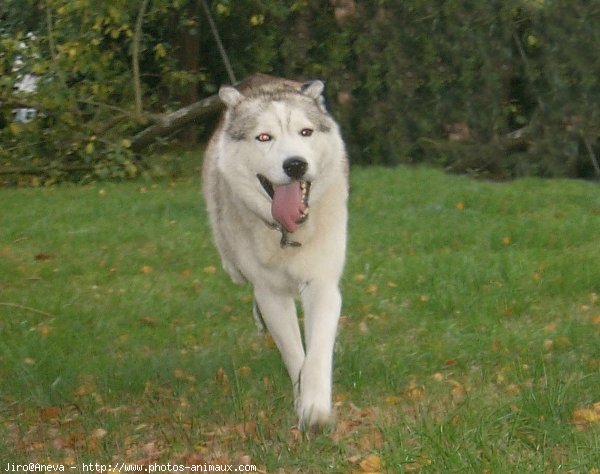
(278, 313)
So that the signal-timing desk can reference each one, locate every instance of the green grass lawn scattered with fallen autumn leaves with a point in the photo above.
(470, 338)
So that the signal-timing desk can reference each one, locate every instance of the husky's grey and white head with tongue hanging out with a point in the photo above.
(279, 145)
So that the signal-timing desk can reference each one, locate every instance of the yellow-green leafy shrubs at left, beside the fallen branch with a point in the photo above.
(82, 54)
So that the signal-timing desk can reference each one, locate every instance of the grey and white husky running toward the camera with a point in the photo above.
(275, 181)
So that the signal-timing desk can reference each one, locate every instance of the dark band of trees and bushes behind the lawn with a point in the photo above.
(499, 89)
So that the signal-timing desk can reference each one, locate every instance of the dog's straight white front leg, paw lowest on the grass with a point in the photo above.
(322, 304)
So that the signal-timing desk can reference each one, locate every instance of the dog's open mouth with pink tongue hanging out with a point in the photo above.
(289, 205)
